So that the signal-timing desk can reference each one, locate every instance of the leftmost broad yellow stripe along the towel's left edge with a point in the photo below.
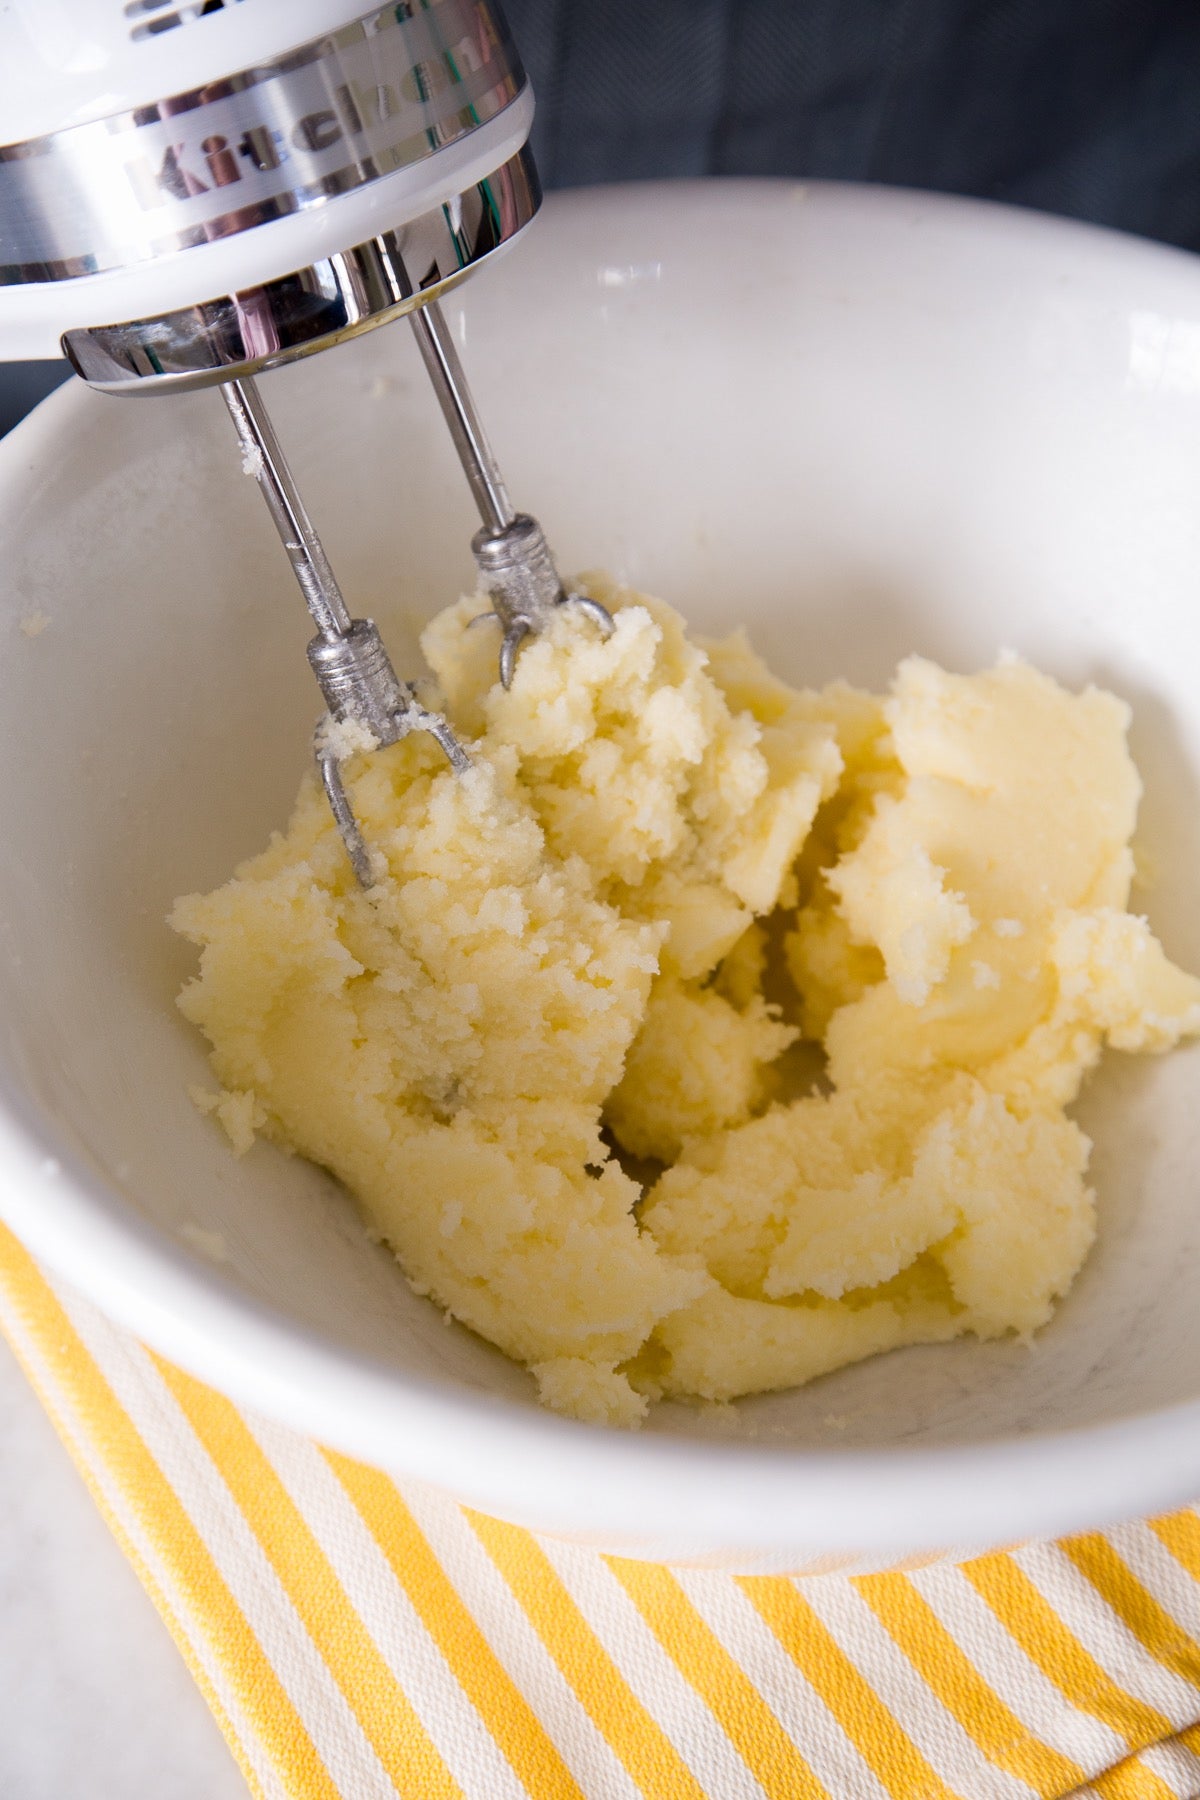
(157, 1507)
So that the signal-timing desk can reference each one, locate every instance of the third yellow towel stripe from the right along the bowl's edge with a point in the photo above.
(1034, 1623)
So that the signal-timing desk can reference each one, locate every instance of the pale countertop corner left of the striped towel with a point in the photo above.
(94, 1696)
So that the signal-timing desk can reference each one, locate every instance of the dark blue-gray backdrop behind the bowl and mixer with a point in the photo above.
(1082, 107)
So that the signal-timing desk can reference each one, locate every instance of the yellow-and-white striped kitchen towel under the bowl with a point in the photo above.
(363, 1639)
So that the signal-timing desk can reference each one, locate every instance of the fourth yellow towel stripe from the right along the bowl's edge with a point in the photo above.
(960, 1687)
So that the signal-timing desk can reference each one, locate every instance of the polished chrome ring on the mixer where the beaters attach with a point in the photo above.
(316, 307)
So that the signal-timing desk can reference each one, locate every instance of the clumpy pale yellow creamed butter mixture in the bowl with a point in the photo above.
(821, 969)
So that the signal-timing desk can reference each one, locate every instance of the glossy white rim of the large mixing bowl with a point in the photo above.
(524, 1462)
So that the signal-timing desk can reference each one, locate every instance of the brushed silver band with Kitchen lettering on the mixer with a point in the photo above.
(336, 114)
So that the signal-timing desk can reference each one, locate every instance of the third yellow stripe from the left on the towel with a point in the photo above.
(499, 1702)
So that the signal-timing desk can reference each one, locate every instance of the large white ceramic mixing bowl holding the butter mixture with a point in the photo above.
(857, 422)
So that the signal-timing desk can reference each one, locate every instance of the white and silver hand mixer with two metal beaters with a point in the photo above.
(312, 172)
